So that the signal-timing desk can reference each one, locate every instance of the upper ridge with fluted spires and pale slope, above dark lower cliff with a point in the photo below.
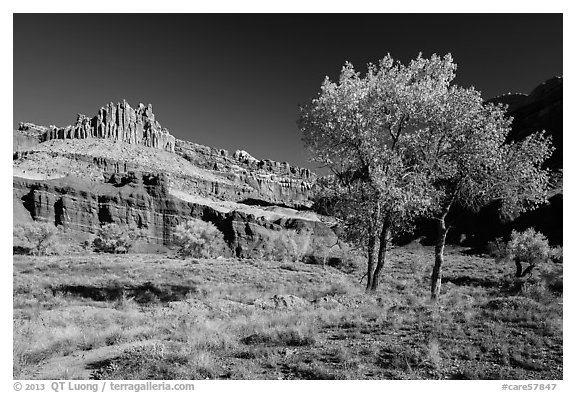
(117, 140)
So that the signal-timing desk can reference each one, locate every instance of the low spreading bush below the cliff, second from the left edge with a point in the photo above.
(116, 239)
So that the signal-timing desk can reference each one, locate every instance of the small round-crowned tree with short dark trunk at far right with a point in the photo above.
(529, 247)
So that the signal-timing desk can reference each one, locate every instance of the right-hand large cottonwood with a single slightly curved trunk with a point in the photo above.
(461, 148)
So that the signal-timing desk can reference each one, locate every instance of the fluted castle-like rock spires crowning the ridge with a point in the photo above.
(118, 122)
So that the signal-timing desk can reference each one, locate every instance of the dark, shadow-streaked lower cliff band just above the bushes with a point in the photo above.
(143, 200)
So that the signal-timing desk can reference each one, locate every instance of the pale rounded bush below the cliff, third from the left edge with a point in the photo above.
(199, 239)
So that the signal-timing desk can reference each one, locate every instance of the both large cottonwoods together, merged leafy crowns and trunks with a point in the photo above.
(402, 142)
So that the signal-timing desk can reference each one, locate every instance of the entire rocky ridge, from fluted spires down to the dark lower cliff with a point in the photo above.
(121, 166)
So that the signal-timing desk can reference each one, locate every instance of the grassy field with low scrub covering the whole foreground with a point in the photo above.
(157, 317)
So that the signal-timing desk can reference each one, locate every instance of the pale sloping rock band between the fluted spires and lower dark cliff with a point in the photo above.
(228, 183)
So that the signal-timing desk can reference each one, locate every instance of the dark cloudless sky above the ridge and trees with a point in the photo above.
(234, 81)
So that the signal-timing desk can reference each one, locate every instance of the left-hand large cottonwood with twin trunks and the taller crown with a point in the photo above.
(357, 128)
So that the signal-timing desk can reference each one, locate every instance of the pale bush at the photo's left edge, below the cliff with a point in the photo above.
(35, 238)
